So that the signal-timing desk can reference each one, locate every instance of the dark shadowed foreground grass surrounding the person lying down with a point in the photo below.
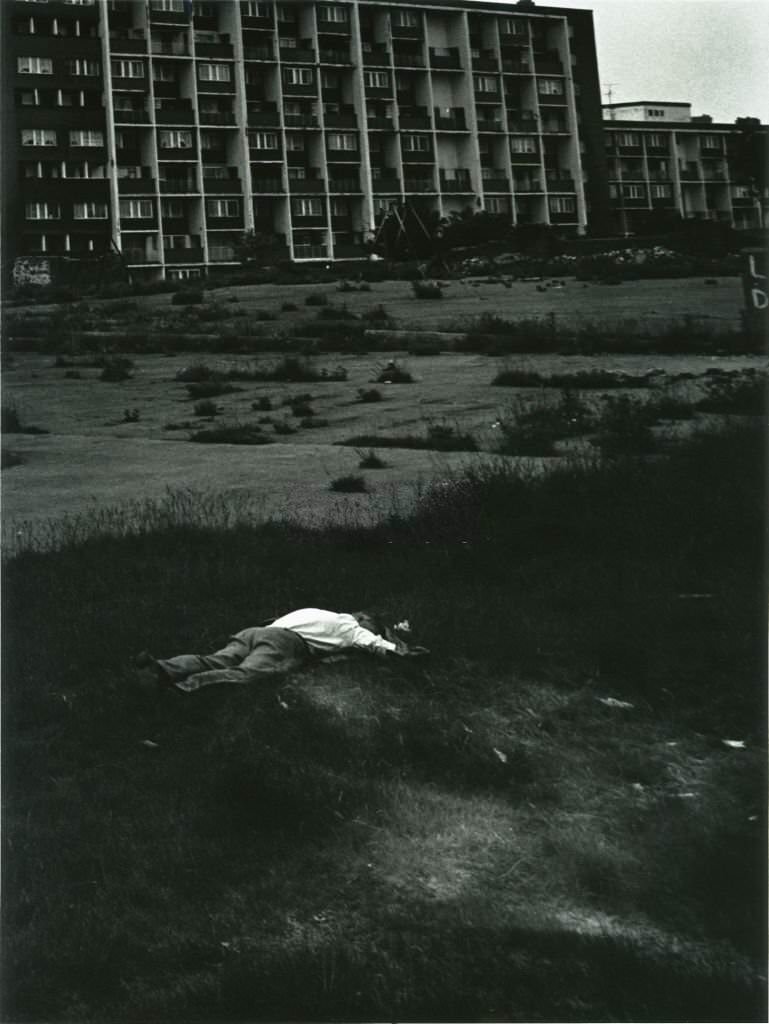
(540, 823)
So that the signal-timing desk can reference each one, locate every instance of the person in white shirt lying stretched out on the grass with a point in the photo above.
(286, 645)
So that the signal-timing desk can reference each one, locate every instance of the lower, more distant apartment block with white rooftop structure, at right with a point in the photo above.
(661, 159)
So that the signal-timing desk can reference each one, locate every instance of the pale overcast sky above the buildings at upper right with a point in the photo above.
(712, 54)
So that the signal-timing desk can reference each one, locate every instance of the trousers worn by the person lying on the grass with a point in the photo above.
(249, 656)
